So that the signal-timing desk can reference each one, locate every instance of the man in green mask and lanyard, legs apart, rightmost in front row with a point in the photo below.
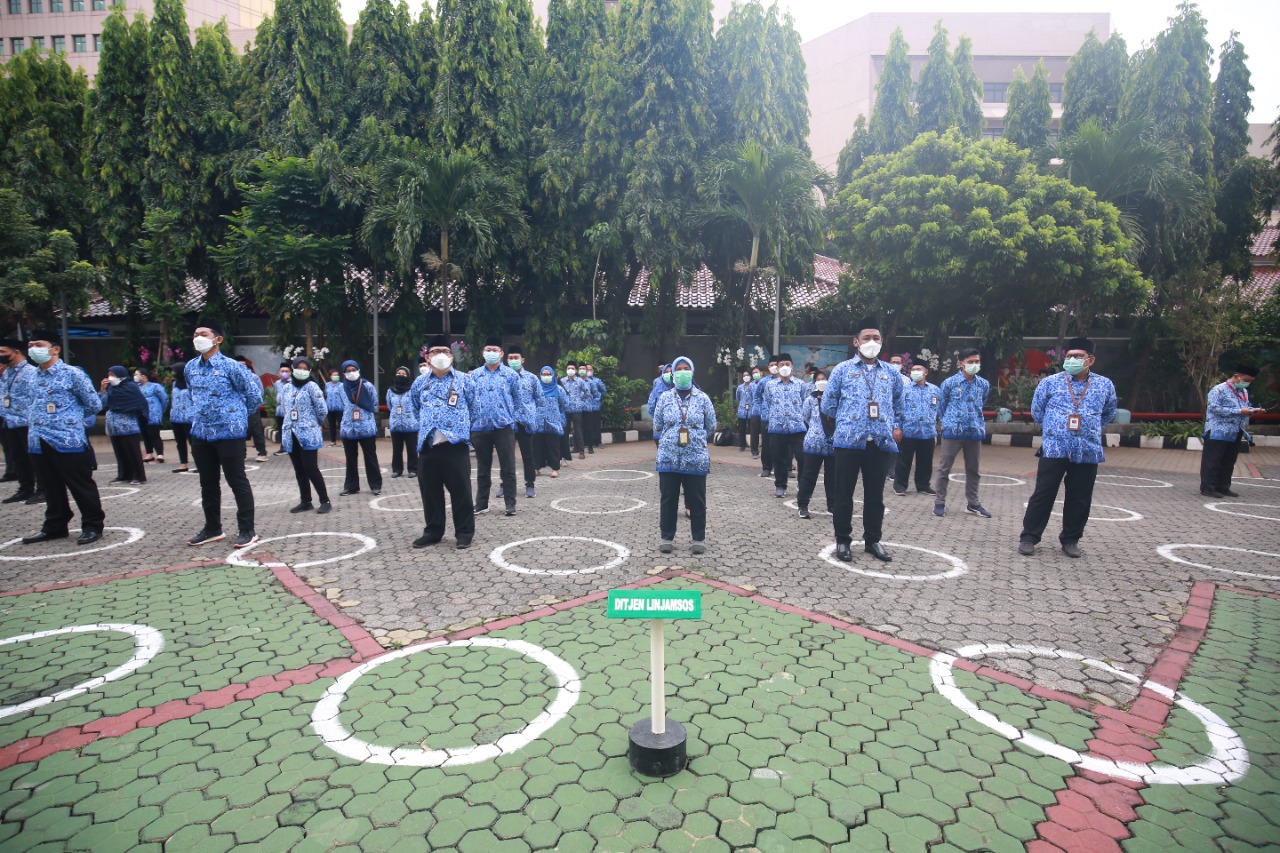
(1072, 409)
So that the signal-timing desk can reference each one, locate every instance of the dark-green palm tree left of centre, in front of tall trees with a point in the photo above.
(452, 194)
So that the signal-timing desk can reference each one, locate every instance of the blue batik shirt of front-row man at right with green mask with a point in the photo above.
(1053, 407)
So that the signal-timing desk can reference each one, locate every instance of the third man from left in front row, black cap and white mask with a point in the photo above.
(444, 402)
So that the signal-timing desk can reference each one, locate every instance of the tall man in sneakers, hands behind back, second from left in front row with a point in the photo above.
(223, 394)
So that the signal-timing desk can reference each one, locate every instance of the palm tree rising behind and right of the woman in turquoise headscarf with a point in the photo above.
(775, 193)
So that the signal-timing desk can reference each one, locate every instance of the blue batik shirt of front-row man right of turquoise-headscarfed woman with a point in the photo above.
(851, 389)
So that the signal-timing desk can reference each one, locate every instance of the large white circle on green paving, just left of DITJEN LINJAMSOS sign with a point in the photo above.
(324, 718)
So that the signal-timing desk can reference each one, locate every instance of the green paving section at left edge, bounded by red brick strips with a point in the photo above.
(221, 626)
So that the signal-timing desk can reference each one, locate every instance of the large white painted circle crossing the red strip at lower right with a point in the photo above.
(1227, 763)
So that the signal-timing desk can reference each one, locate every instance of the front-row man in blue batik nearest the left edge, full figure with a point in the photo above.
(62, 402)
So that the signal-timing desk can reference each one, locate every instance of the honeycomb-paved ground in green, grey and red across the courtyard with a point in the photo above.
(815, 720)
